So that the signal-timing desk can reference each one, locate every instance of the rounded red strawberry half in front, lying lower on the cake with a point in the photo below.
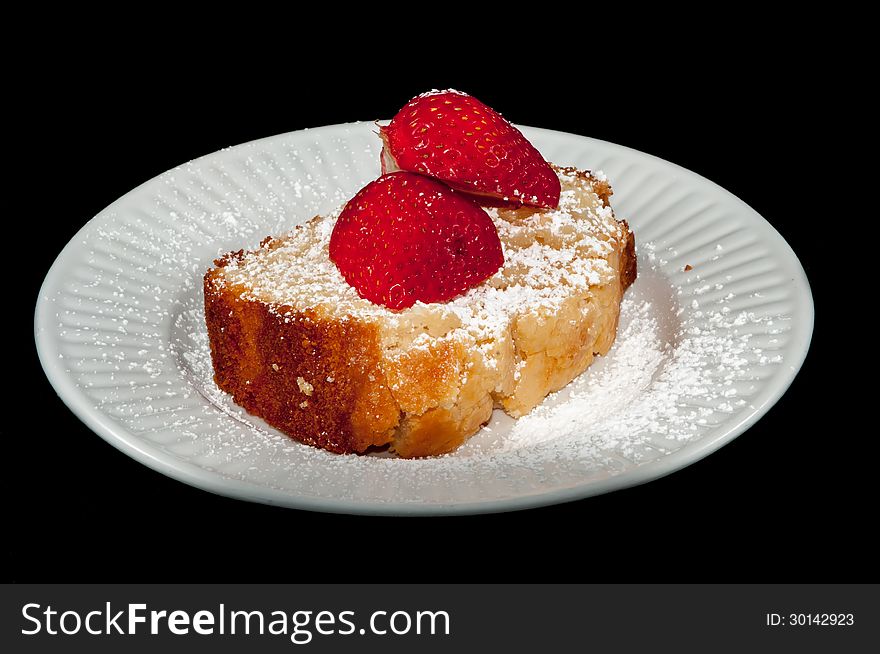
(406, 238)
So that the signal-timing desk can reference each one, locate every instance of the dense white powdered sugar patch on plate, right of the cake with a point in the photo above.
(649, 390)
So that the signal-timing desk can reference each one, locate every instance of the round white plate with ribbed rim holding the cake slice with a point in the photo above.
(701, 354)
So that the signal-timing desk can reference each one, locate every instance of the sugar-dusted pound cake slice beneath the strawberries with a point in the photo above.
(294, 344)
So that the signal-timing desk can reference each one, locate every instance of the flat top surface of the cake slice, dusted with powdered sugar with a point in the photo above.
(299, 272)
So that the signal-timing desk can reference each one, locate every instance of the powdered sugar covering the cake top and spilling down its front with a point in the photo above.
(550, 257)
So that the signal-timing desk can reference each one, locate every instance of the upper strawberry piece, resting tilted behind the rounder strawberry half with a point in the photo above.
(455, 137)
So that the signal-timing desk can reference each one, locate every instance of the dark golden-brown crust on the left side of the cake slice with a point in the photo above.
(335, 398)
